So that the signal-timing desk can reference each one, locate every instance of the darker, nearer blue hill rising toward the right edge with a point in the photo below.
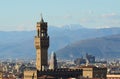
(104, 47)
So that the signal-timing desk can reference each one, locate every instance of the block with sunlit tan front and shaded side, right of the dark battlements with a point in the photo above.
(94, 72)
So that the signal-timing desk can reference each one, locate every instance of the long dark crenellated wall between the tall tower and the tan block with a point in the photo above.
(64, 73)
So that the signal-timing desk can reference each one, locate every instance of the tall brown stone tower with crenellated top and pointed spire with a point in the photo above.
(41, 45)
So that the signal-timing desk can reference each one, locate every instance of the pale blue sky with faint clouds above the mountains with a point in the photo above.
(23, 14)
